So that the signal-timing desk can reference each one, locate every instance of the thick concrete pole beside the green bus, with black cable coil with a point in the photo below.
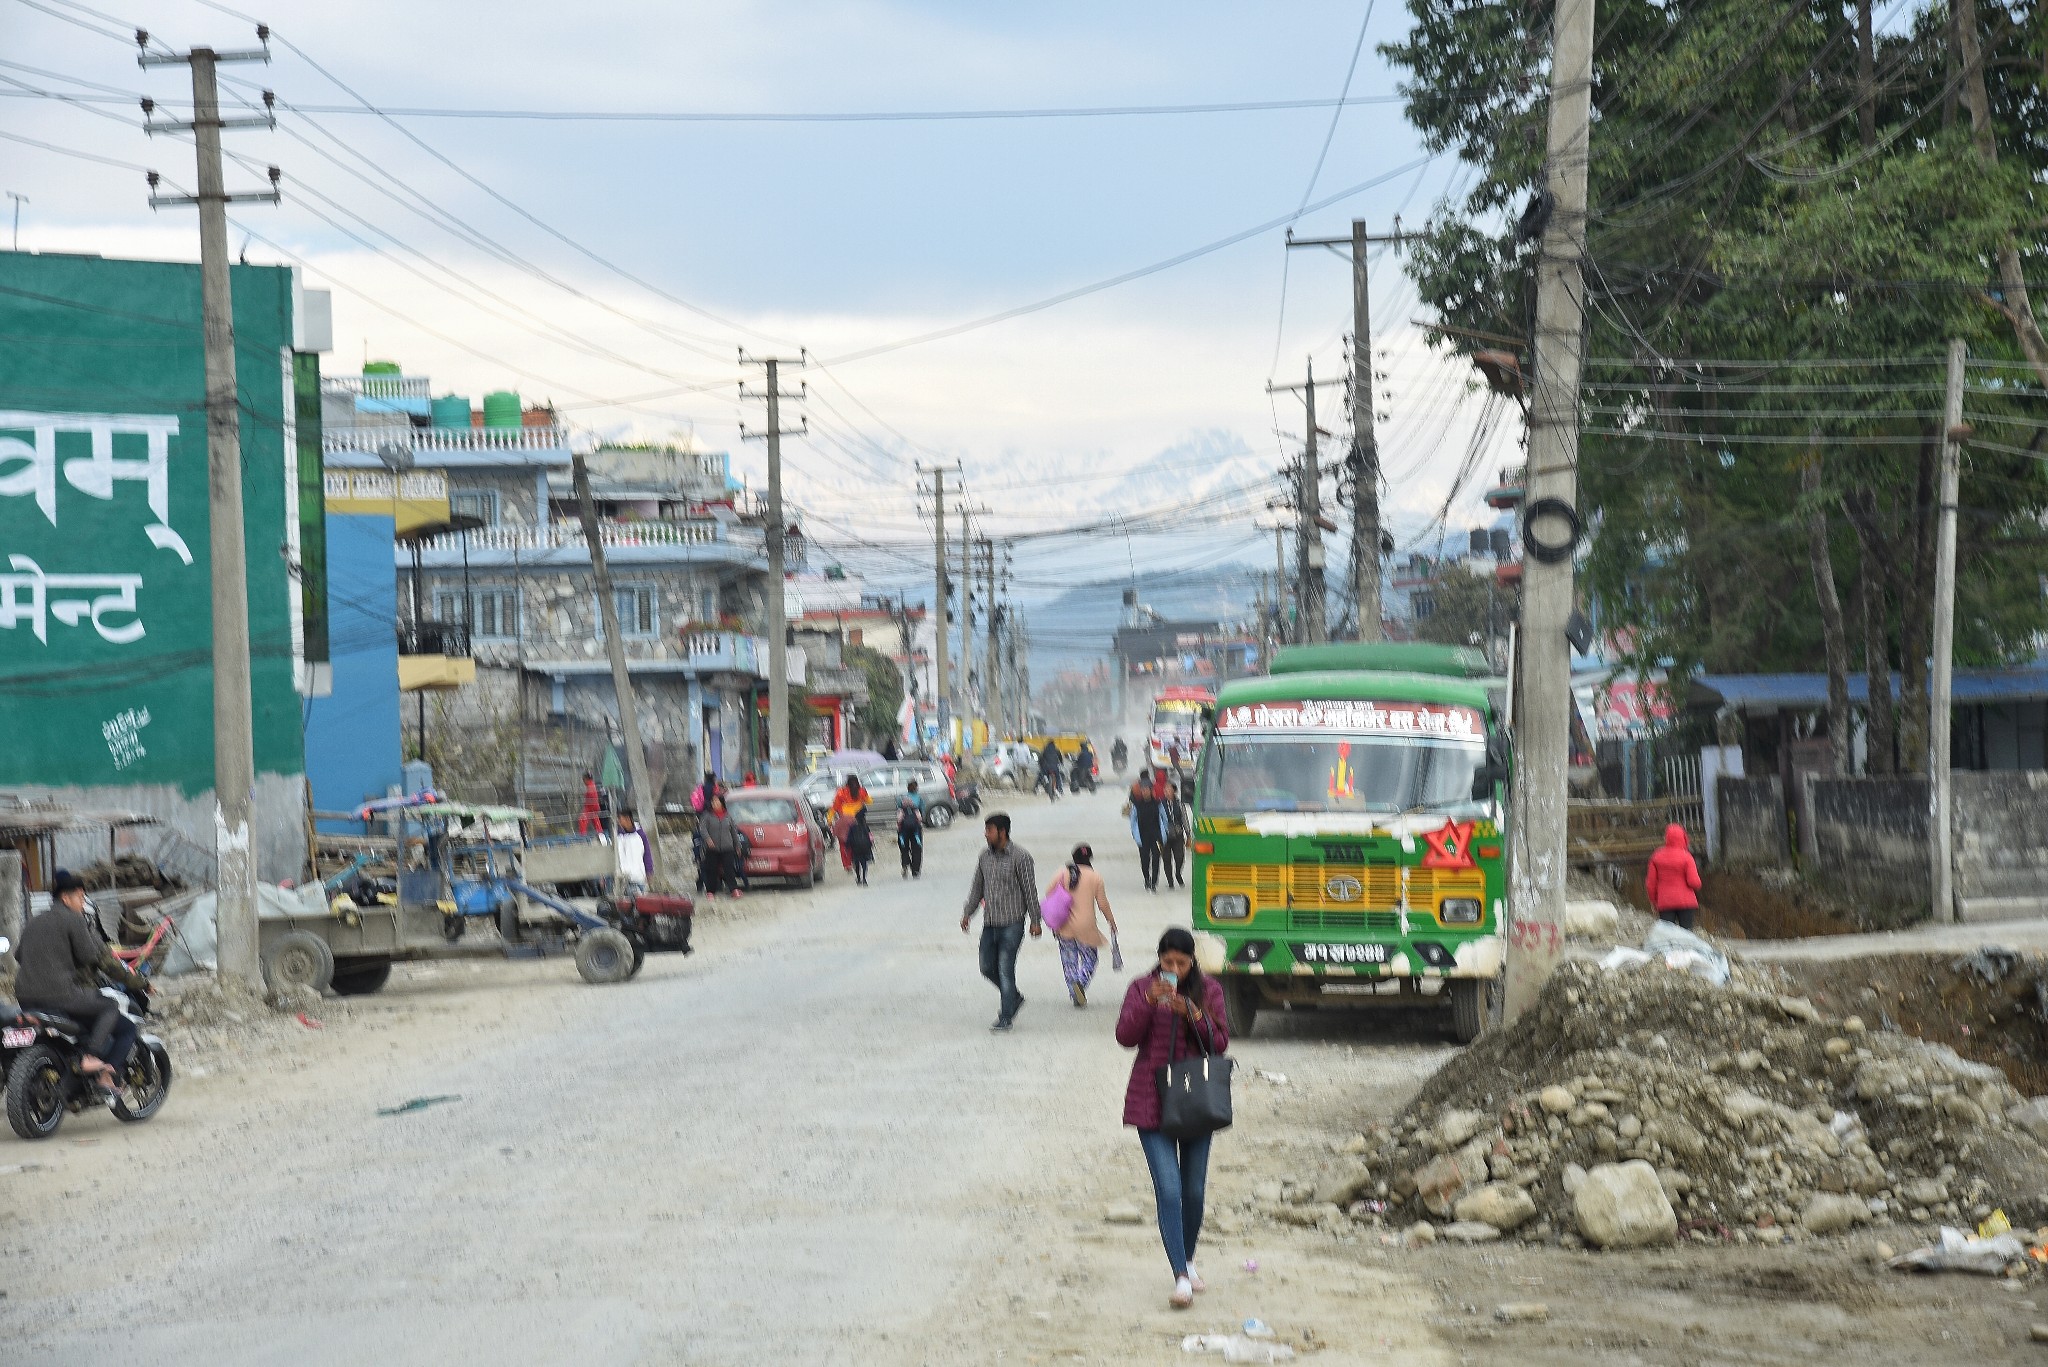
(1543, 743)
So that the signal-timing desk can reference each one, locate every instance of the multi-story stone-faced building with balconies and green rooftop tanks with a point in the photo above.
(499, 610)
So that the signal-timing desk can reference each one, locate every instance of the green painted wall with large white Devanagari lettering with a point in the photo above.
(105, 620)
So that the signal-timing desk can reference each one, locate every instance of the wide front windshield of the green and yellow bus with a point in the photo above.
(1340, 774)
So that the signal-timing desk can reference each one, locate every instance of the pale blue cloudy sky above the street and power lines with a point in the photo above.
(615, 267)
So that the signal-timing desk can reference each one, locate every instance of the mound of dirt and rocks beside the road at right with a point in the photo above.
(1756, 1112)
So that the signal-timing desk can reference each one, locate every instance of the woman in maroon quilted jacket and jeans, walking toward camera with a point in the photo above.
(1170, 1013)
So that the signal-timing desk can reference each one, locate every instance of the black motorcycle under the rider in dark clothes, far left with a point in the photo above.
(40, 1054)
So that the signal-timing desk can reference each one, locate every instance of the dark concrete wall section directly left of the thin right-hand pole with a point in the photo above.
(1871, 839)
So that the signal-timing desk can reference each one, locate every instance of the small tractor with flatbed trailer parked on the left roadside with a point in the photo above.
(470, 882)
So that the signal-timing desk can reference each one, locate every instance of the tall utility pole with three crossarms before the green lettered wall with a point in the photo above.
(234, 745)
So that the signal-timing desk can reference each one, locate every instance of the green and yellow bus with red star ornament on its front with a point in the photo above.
(1351, 835)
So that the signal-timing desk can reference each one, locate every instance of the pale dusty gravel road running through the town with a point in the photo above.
(798, 1147)
